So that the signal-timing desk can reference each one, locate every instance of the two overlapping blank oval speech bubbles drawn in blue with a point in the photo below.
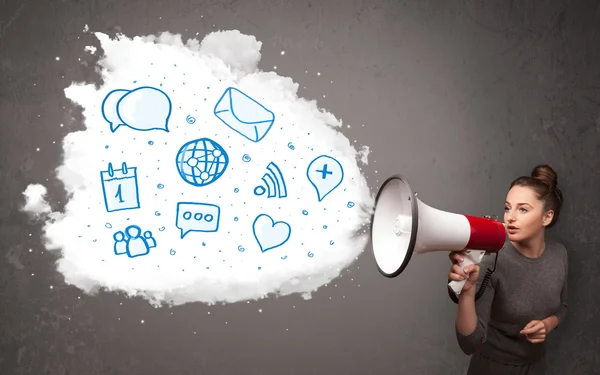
(144, 108)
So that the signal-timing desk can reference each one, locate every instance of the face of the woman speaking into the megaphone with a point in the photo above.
(524, 214)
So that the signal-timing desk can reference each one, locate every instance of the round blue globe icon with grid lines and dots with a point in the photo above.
(201, 162)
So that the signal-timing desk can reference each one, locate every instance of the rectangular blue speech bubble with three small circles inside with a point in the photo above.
(197, 217)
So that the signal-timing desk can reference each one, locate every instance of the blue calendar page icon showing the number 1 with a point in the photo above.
(120, 188)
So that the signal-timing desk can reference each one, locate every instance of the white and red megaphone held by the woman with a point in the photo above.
(402, 225)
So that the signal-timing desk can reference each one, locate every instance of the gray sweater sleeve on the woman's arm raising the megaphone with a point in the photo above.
(474, 341)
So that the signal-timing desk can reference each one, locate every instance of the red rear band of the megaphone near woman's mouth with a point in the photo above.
(486, 234)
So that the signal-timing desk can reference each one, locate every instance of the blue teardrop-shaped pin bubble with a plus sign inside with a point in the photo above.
(325, 174)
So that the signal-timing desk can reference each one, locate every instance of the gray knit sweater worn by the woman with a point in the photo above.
(521, 289)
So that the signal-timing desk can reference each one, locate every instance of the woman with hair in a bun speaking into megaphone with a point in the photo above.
(526, 299)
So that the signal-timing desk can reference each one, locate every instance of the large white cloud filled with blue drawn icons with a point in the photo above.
(225, 265)
